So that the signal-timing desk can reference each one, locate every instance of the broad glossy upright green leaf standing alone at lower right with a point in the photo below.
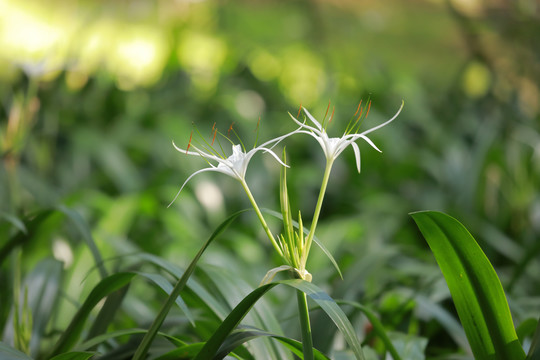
(476, 290)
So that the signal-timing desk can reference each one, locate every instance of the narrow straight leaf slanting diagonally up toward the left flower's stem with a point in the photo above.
(141, 351)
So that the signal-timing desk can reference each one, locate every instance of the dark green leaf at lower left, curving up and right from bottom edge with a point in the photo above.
(75, 328)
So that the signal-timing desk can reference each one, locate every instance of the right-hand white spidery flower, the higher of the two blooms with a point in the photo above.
(334, 146)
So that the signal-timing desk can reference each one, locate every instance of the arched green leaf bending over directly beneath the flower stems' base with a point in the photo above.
(335, 313)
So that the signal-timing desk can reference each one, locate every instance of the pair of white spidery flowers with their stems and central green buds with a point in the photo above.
(293, 246)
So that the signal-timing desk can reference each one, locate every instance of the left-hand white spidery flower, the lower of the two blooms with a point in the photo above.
(236, 164)
